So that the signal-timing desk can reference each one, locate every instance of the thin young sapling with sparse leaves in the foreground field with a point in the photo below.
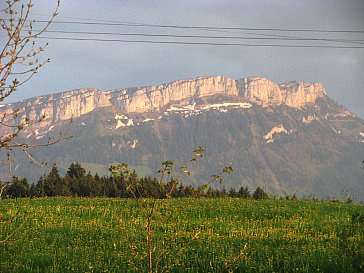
(156, 213)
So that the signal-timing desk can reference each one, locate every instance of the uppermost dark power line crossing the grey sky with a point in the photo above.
(130, 24)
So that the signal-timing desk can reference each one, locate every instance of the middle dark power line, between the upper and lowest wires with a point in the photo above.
(206, 36)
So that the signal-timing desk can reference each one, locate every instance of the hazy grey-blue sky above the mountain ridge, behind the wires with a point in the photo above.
(114, 65)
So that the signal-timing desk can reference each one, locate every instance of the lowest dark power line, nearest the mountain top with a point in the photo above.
(197, 43)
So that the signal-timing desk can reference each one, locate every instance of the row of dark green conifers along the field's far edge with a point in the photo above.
(76, 182)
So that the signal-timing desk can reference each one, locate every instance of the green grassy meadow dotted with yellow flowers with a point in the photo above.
(206, 235)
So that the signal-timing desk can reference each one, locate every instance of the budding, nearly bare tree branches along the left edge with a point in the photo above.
(19, 62)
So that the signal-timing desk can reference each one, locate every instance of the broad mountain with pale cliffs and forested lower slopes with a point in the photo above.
(288, 137)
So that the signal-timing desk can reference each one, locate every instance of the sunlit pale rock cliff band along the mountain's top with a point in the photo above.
(63, 106)
